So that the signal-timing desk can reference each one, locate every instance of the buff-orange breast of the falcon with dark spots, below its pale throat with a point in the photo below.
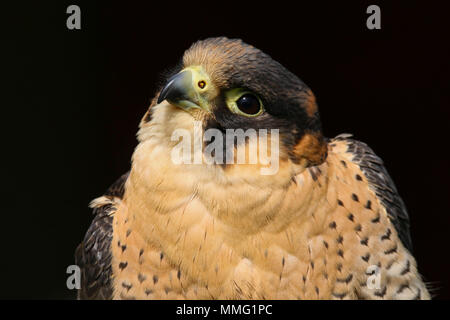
(343, 248)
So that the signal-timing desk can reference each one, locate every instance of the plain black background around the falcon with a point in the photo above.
(77, 97)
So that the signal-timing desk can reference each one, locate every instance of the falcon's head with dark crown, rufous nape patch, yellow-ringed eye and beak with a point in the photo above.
(228, 84)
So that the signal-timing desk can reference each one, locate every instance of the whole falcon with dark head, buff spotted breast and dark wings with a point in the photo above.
(329, 224)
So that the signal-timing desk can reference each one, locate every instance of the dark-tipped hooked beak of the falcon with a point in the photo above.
(180, 91)
